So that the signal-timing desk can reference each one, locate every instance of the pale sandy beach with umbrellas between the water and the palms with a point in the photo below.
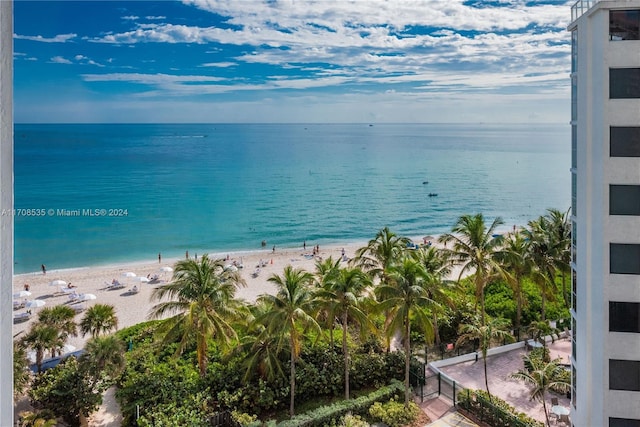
(133, 308)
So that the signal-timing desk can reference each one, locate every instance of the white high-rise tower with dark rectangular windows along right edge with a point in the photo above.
(605, 123)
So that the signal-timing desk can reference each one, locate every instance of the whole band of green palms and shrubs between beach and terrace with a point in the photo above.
(205, 351)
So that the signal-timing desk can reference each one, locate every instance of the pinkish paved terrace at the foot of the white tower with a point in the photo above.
(499, 367)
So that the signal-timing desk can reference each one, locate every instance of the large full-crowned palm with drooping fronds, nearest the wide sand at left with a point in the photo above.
(201, 299)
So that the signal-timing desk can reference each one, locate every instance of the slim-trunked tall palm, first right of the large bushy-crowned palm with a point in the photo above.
(290, 310)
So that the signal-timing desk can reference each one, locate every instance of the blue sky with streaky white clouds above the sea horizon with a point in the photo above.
(324, 61)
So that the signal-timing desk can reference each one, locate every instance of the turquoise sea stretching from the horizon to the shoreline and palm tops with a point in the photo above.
(217, 188)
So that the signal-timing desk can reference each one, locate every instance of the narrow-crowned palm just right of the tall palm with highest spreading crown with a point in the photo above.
(517, 263)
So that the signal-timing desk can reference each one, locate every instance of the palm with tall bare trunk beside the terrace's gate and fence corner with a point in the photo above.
(405, 297)
